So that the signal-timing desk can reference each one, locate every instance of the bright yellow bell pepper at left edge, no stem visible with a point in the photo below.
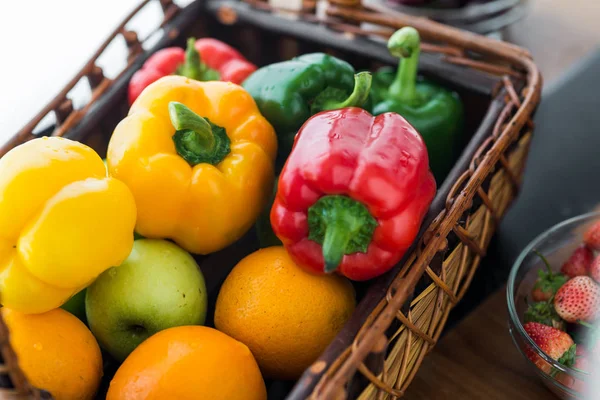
(63, 223)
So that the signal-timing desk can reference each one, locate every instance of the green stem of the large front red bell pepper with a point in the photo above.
(342, 226)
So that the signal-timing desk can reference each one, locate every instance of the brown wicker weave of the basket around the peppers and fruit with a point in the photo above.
(407, 322)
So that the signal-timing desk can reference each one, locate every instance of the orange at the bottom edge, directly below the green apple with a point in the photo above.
(188, 362)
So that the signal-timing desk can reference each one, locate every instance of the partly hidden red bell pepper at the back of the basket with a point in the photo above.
(204, 59)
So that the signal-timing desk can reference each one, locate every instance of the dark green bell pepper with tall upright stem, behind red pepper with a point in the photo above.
(435, 112)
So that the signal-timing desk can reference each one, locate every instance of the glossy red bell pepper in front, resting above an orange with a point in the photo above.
(353, 193)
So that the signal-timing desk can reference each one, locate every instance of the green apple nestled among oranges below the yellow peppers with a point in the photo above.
(159, 286)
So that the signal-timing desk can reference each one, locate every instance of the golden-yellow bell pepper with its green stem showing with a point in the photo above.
(198, 157)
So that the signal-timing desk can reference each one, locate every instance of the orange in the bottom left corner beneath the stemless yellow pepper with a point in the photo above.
(56, 352)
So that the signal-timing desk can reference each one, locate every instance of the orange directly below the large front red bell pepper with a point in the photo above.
(286, 316)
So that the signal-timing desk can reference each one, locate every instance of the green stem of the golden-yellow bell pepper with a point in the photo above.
(196, 139)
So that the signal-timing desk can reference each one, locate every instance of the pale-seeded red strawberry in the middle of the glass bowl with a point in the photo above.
(578, 299)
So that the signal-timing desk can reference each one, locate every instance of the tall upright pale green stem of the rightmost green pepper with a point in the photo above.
(405, 44)
